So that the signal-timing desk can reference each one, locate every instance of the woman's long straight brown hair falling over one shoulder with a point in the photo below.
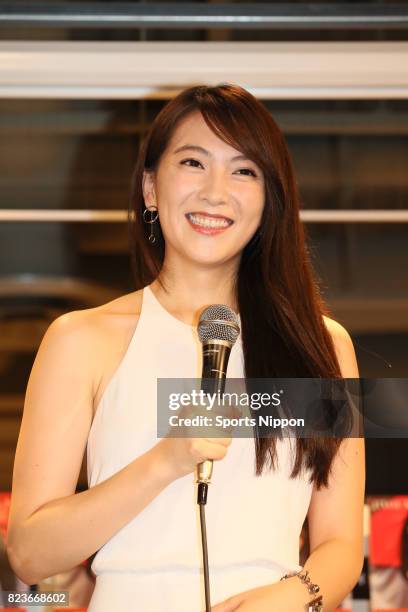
(278, 296)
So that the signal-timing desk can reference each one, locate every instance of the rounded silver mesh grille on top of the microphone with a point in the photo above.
(218, 322)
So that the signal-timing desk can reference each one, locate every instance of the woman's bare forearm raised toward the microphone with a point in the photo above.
(65, 531)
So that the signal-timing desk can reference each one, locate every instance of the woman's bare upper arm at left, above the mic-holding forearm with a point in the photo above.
(56, 419)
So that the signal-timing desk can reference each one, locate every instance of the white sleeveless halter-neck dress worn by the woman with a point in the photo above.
(154, 563)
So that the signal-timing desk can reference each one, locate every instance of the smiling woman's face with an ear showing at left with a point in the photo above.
(209, 184)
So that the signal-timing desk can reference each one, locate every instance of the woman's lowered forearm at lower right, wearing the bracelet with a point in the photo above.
(335, 566)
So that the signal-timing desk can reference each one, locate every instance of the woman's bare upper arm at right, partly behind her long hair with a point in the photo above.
(337, 511)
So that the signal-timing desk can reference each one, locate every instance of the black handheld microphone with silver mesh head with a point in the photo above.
(218, 329)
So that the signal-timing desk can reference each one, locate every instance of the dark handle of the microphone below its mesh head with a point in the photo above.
(214, 372)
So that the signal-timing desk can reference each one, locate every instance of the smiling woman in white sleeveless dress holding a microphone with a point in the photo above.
(212, 152)
